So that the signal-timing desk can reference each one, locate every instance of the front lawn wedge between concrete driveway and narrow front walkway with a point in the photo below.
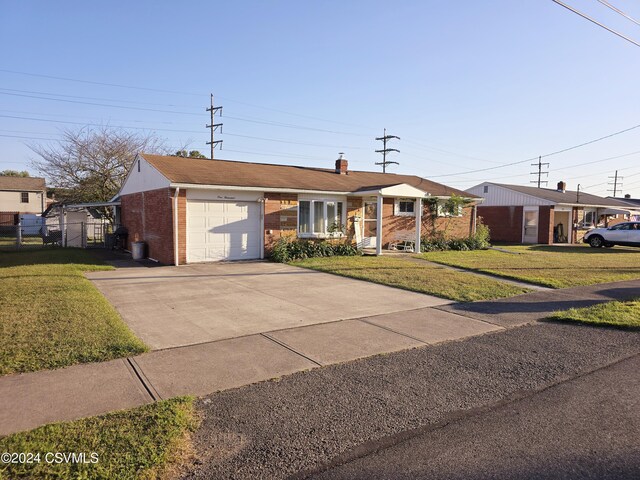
(415, 276)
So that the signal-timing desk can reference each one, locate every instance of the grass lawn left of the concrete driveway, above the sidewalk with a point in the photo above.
(51, 316)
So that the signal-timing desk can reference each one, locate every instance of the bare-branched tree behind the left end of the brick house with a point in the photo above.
(90, 164)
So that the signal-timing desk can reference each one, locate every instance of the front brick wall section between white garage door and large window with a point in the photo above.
(280, 217)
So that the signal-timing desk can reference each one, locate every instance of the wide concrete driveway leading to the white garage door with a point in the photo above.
(176, 306)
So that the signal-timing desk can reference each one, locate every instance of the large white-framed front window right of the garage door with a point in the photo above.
(320, 217)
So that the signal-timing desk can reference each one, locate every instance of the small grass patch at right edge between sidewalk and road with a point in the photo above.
(613, 314)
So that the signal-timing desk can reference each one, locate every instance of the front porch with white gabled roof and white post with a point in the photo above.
(390, 215)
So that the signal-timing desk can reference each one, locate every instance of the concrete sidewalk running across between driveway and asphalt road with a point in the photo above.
(34, 399)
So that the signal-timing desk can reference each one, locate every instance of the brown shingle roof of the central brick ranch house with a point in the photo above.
(262, 175)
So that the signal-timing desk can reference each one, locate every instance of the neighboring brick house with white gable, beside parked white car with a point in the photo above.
(522, 214)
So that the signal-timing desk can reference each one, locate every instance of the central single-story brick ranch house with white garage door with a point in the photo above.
(191, 210)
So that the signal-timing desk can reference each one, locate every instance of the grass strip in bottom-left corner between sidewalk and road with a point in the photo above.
(152, 441)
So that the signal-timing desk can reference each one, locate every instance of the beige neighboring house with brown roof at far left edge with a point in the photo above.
(20, 195)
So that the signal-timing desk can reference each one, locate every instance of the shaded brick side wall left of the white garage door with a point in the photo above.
(148, 217)
